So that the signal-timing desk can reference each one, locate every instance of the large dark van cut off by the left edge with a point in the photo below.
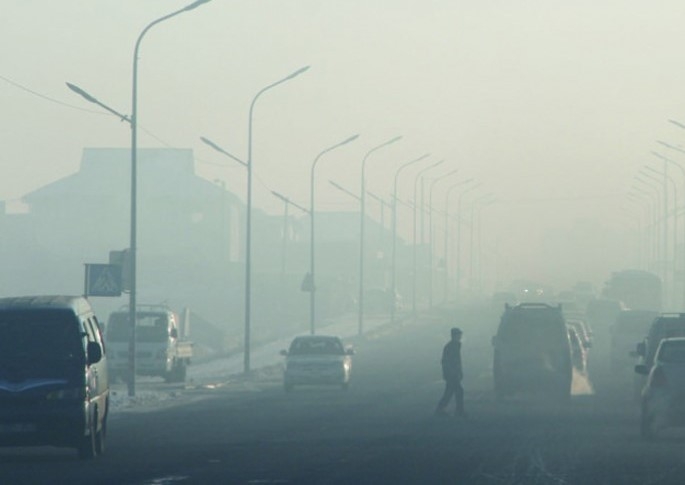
(53, 374)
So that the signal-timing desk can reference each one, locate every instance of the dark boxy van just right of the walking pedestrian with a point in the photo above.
(532, 351)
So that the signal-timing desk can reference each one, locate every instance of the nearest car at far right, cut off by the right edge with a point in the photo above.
(663, 397)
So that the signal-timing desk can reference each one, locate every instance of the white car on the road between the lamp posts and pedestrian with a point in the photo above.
(317, 359)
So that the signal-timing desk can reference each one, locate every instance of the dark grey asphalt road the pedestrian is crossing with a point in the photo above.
(382, 430)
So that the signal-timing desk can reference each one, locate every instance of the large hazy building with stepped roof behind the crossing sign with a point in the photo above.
(188, 232)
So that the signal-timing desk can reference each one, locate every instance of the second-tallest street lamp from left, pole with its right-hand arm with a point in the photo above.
(248, 231)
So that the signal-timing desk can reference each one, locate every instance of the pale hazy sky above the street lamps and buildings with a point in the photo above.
(552, 105)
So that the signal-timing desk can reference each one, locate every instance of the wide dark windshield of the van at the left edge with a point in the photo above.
(40, 336)
